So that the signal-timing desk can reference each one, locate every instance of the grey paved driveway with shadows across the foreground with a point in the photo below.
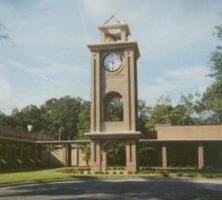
(149, 189)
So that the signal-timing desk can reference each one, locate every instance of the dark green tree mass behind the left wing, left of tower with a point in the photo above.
(68, 115)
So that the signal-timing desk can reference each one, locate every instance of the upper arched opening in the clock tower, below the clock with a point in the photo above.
(113, 107)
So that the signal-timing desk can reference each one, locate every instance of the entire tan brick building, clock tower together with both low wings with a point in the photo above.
(114, 80)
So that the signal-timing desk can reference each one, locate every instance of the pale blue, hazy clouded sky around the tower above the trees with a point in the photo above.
(47, 55)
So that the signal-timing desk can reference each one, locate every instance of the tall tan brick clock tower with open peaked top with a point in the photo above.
(113, 95)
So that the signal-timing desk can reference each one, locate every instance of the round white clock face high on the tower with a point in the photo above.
(112, 62)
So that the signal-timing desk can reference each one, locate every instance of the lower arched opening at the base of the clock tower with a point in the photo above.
(116, 155)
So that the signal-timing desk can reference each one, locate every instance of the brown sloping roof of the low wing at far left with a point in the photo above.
(23, 135)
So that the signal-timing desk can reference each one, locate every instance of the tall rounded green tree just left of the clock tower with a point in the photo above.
(65, 113)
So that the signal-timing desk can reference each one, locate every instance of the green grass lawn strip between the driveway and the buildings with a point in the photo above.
(34, 175)
